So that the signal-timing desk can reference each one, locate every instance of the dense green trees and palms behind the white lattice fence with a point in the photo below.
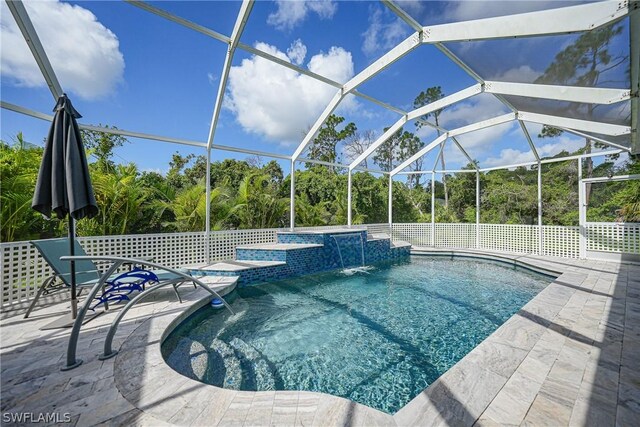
(252, 194)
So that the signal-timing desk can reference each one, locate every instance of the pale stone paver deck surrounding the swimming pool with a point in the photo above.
(569, 357)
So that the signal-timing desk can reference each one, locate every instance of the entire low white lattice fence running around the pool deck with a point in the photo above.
(23, 269)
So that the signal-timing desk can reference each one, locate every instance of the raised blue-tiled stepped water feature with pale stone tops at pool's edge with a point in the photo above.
(296, 253)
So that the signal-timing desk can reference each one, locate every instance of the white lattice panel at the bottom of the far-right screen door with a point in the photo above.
(607, 237)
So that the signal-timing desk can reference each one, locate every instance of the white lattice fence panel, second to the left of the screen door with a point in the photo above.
(509, 238)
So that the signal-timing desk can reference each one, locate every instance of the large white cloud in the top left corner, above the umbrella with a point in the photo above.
(84, 54)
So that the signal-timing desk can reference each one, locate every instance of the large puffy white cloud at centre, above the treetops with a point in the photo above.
(279, 103)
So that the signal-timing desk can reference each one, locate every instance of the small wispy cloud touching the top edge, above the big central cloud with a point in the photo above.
(291, 13)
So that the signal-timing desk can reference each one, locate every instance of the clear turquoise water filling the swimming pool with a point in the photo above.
(377, 336)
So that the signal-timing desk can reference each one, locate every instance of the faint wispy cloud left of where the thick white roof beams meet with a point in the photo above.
(382, 36)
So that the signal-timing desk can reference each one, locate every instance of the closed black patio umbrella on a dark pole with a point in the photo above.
(64, 185)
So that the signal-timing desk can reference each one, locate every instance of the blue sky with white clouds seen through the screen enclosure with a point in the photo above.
(123, 66)
